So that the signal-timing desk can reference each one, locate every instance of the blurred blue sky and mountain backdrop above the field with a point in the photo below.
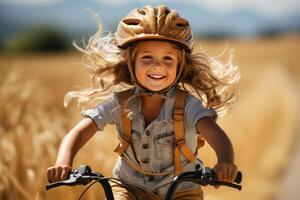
(240, 18)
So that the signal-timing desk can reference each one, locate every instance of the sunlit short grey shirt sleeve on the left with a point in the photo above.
(104, 113)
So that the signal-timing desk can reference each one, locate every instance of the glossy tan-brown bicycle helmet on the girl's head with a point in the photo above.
(157, 23)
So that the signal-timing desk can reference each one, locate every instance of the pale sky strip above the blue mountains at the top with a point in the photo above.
(267, 7)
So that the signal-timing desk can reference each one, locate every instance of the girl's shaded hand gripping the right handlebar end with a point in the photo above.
(226, 172)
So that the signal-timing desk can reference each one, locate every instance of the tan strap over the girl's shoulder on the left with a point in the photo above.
(126, 122)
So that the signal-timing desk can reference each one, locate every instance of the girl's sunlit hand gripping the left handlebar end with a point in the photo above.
(58, 173)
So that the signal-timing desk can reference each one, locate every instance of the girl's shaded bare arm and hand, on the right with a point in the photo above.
(225, 169)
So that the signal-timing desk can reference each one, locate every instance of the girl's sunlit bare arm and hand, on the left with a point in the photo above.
(71, 144)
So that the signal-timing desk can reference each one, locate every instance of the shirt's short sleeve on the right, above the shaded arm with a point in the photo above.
(194, 111)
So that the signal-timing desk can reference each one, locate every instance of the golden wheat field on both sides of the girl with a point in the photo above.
(263, 125)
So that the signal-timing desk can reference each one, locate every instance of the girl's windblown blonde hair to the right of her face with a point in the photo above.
(216, 83)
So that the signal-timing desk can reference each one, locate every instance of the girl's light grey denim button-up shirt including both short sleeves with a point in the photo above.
(154, 144)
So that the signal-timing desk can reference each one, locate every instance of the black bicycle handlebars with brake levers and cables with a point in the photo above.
(202, 175)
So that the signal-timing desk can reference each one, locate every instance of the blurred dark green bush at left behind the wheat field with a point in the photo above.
(39, 39)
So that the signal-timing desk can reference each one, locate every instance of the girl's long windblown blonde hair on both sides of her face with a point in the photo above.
(205, 77)
